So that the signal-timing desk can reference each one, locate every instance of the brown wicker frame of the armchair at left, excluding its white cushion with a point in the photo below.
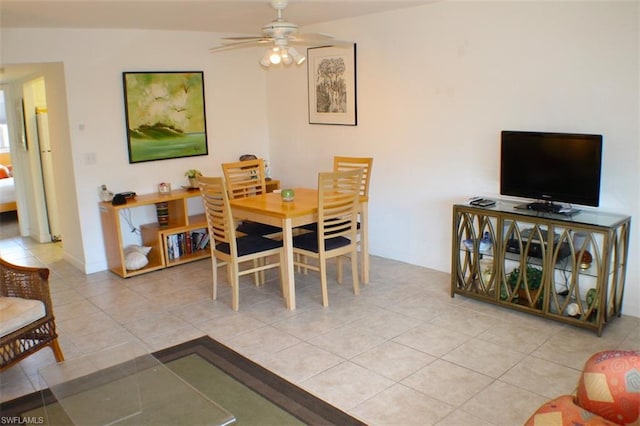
(28, 284)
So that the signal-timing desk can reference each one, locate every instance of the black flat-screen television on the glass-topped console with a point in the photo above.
(551, 167)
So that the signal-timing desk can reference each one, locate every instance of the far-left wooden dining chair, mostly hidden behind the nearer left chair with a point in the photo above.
(244, 179)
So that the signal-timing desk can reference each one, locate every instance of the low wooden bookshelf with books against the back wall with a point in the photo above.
(181, 228)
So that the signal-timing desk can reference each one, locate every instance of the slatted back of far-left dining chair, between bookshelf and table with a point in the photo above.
(245, 178)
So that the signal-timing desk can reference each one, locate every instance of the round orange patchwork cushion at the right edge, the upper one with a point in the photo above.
(610, 386)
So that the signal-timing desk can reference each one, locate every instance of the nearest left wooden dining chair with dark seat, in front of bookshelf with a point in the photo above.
(227, 247)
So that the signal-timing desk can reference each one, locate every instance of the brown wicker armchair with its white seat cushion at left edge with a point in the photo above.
(27, 323)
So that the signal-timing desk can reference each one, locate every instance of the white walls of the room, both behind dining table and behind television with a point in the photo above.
(436, 84)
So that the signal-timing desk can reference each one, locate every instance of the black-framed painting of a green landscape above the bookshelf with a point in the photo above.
(165, 115)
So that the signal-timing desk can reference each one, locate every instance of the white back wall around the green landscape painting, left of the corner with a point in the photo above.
(235, 96)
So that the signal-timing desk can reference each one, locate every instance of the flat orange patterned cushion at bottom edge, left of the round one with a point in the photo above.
(563, 411)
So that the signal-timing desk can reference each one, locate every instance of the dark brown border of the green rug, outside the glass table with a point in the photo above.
(298, 402)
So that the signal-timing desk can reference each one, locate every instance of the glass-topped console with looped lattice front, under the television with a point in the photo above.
(575, 265)
